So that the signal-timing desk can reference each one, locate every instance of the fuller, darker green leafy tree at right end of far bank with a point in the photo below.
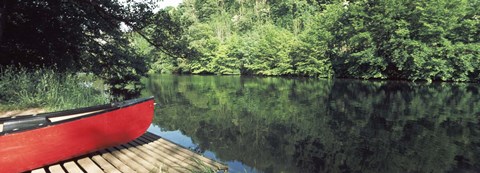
(407, 40)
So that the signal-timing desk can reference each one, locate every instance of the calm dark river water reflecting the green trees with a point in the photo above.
(311, 125)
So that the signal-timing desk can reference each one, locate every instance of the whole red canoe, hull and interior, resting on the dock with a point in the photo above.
(33, 141)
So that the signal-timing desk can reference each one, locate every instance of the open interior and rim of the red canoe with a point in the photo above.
(20, 123)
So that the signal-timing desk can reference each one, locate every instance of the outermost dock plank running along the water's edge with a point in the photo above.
(197, 158)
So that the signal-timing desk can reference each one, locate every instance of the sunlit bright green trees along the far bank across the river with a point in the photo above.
(407, 39)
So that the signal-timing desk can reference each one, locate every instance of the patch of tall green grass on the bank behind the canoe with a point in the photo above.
(43, 88)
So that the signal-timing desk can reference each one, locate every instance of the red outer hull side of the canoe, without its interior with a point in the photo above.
(43, 146)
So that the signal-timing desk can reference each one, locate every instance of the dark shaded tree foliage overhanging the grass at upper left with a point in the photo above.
(70, 35)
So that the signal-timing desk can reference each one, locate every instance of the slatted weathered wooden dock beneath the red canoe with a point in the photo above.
(148, 153)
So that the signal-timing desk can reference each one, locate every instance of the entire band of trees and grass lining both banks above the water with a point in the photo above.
(83, 41)
